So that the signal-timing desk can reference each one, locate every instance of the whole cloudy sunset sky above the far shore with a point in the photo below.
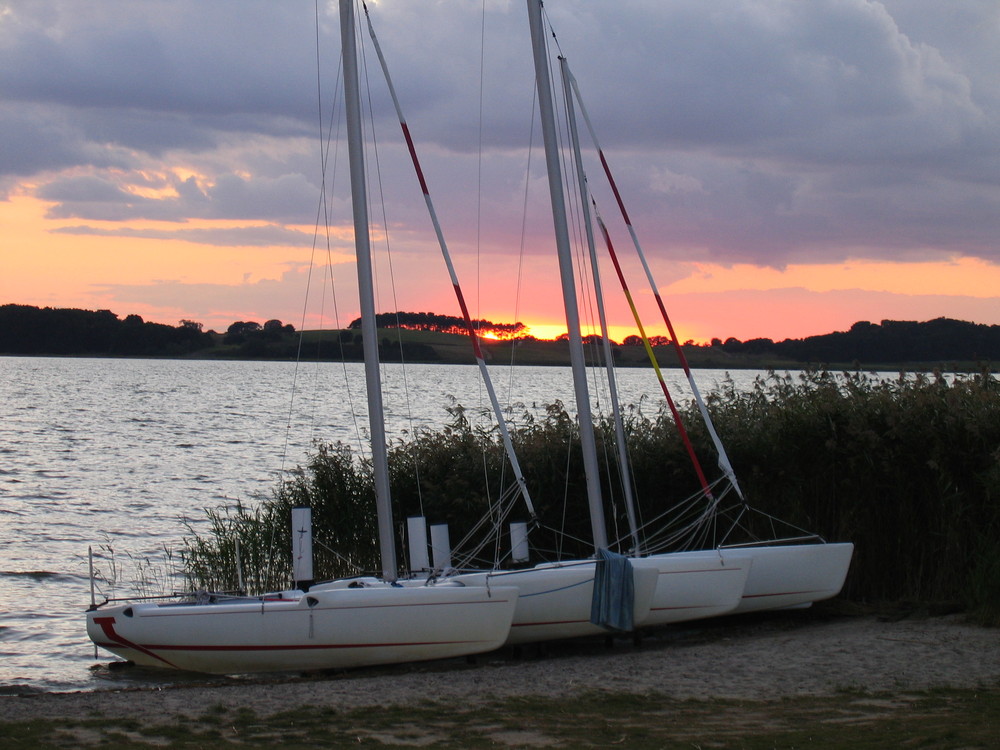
(790, 167)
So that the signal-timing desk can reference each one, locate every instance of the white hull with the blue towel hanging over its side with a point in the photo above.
(554, 599)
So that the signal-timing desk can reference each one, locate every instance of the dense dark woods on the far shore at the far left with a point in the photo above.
(25, 329)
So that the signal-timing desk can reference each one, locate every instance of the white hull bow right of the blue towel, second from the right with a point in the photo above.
(694, 585)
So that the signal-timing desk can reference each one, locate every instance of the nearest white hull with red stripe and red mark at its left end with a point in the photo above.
(322, 629)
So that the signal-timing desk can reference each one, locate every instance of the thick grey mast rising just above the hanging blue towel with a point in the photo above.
(547, 114)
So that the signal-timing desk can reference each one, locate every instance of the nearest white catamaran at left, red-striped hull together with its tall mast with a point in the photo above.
(350, 624)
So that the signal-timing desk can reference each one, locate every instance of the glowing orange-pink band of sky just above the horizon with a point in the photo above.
(710, 300)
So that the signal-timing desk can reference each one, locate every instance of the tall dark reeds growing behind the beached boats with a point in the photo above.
(908, 469)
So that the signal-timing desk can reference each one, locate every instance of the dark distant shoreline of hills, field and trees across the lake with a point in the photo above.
(52, 331)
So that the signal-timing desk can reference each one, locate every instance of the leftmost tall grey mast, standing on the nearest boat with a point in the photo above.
(366, 292)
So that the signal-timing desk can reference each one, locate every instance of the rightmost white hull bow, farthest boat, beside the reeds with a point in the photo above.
(793, 575)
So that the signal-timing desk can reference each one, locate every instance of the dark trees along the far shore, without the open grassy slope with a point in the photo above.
(25, 329)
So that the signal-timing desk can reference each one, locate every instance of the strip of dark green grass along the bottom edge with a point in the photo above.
(931, 719)
